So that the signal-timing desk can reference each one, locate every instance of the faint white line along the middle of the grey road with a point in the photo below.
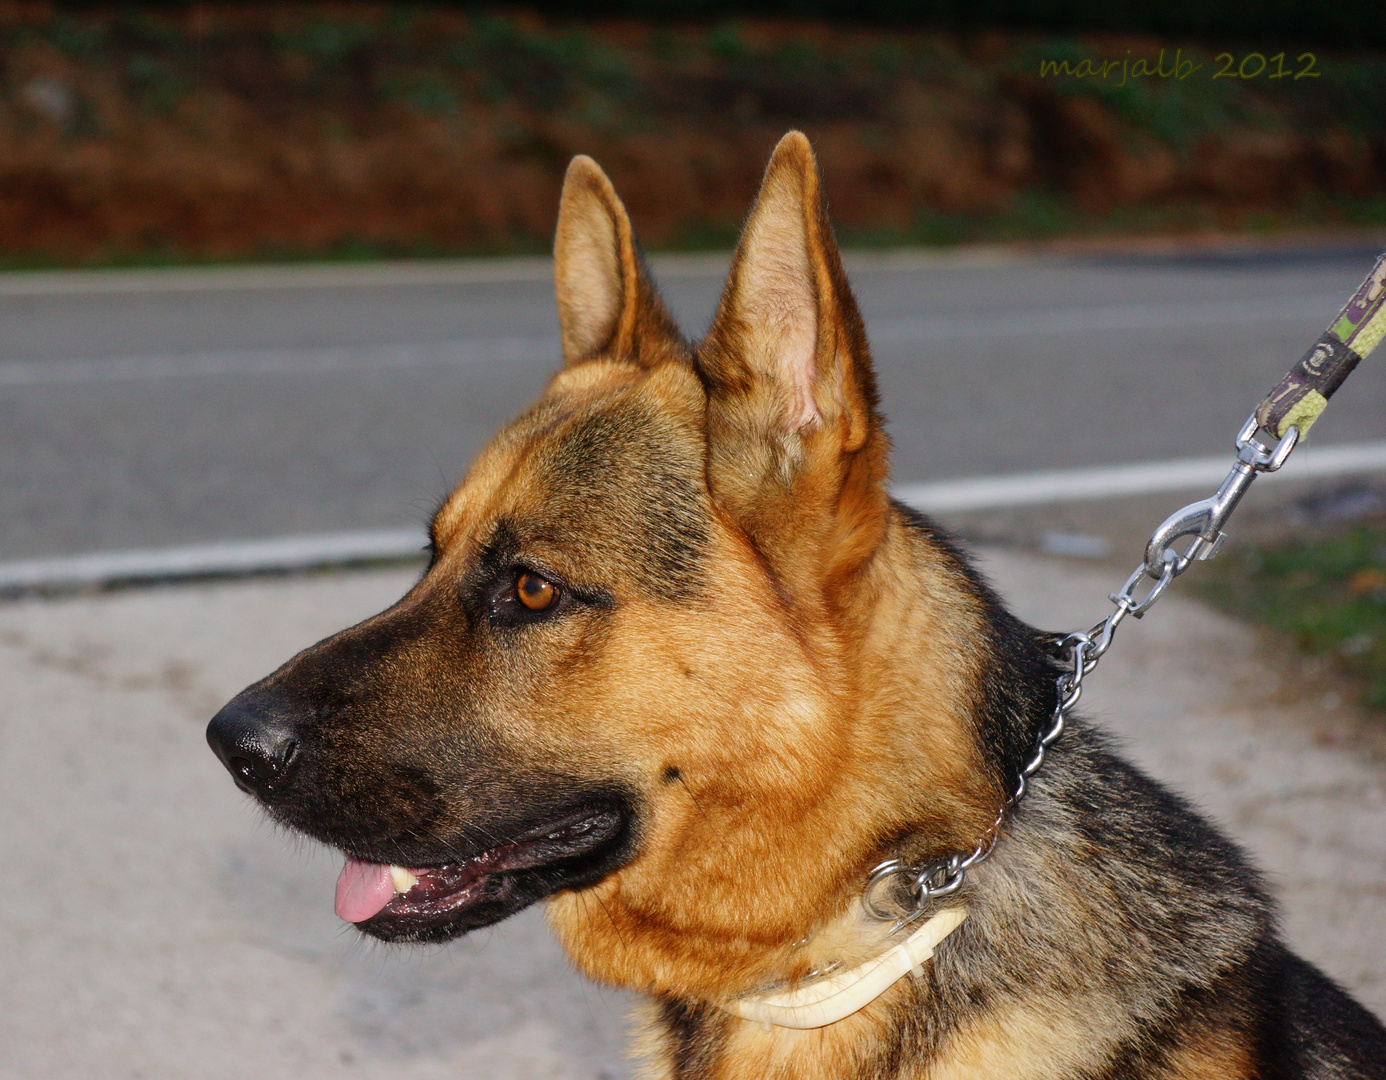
(541, 347)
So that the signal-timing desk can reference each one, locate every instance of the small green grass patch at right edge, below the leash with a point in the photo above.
(1326, 593)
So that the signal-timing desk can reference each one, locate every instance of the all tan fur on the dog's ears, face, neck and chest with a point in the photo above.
(863, 729)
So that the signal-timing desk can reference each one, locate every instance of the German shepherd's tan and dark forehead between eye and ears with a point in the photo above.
(602, 473)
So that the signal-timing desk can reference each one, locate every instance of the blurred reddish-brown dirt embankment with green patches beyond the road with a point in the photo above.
(315, 130)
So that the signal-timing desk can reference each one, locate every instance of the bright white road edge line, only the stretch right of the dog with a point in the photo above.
(1112, 482)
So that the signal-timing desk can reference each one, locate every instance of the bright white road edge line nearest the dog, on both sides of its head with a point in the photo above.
(239, 558)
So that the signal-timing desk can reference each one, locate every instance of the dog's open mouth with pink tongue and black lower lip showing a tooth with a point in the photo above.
(443, 900)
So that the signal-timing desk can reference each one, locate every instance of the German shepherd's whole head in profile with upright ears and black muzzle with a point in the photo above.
(677, 662)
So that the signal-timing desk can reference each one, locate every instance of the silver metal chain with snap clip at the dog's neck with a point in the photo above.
(1164, 564)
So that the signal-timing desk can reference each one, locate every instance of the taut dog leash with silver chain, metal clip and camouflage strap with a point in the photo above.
(1287, 414)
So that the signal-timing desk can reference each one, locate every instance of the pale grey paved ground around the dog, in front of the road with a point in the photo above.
(155, 927)
